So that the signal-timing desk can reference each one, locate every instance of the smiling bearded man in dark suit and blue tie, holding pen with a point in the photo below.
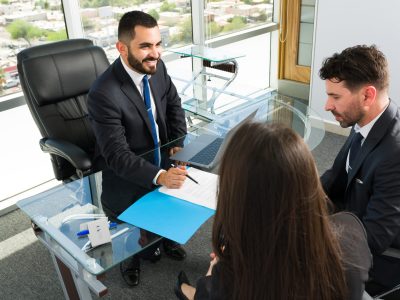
(134, 108)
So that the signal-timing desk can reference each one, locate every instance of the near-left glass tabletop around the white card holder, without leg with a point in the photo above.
(60, 211)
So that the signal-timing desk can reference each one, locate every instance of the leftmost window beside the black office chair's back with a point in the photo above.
(23, 24)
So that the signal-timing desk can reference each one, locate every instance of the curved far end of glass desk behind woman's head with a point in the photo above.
(271, 108)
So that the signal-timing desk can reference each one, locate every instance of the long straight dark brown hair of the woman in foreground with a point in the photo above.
(271, 231)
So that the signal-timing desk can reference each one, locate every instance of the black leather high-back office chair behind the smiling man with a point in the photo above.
(55, 79)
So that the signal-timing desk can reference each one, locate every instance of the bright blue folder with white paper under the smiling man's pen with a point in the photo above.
(175, 214)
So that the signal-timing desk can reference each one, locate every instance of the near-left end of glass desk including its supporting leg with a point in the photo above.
(56, 216)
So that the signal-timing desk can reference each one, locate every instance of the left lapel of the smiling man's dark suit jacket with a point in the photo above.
(128, 87)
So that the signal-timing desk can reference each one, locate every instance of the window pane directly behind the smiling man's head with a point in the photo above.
(100, 21)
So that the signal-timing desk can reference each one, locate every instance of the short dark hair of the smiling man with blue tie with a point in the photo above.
(128, 22)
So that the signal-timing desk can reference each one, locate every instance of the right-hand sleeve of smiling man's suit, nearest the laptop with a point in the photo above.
(175, 116)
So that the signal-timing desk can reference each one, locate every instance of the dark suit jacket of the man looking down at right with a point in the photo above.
(371, 190)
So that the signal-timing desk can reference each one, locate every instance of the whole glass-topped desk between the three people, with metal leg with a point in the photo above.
(58, 213)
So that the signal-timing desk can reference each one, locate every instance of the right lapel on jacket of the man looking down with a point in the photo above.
(376, 134)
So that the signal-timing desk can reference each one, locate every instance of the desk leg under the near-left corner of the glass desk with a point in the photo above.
(73, 287)
